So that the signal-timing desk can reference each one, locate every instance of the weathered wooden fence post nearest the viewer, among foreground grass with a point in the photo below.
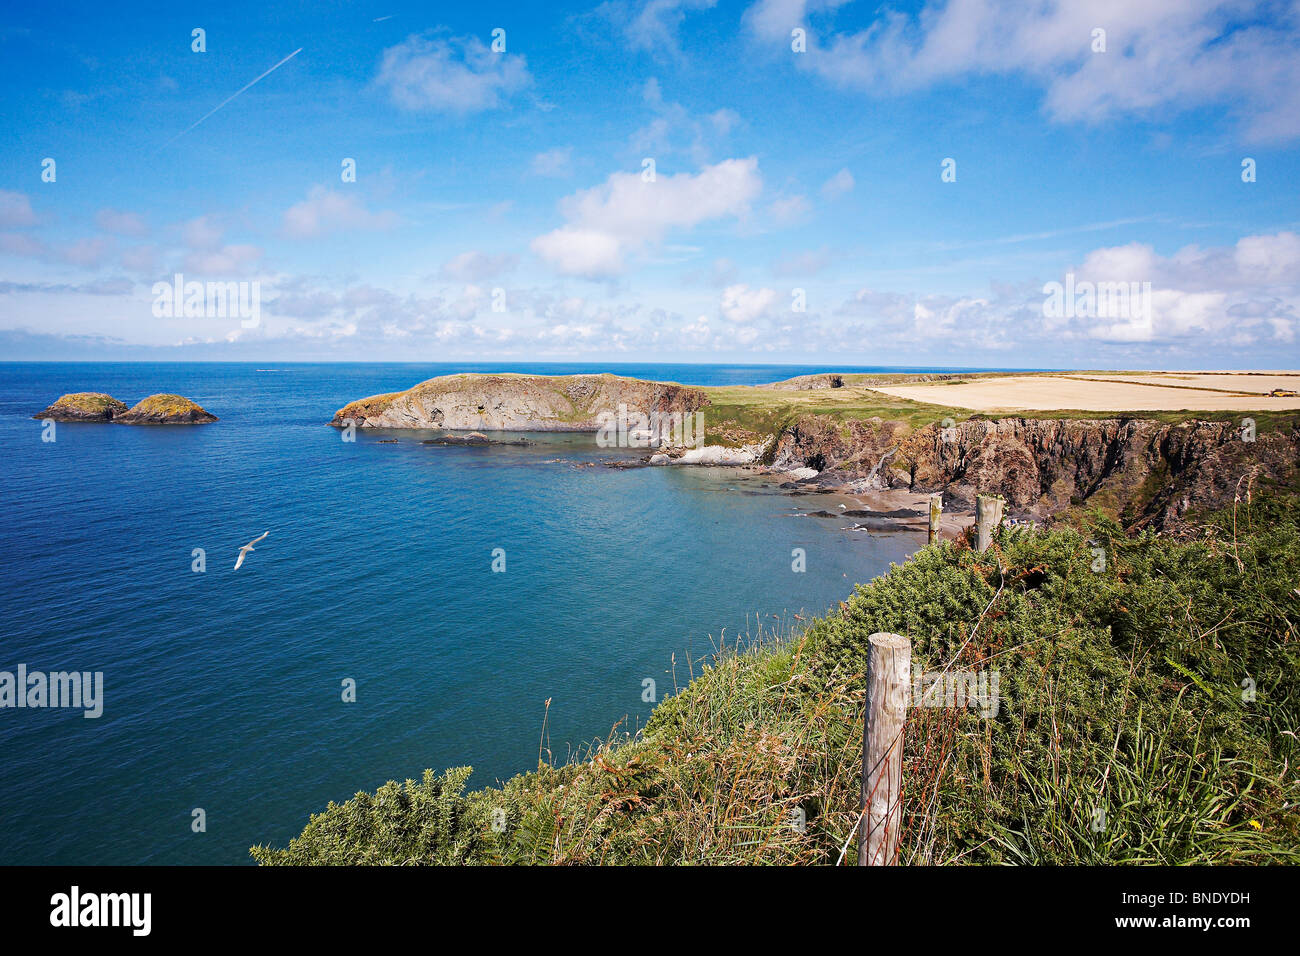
(889, 686)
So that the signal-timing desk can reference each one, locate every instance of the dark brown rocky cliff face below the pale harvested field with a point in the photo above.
(1147, 471)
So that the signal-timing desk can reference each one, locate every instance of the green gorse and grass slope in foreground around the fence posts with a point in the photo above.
(1123, 734)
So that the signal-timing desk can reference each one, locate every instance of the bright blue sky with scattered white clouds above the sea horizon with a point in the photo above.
(778, 181)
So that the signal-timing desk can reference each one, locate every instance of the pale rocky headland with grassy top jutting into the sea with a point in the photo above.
(518, 403)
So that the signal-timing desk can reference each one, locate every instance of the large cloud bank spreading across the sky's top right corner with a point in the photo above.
(1162, 55)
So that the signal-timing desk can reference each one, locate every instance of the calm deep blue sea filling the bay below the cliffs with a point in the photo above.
(224, 690)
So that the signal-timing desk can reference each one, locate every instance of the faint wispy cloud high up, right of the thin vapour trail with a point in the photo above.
(454, 76)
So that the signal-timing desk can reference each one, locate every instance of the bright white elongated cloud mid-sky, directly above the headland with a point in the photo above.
(627, 213)
